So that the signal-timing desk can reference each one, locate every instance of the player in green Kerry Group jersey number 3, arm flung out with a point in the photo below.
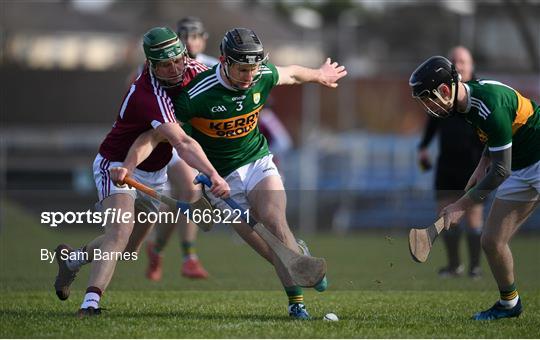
(221, 107)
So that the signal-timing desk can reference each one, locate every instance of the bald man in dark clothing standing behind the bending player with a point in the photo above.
(459, 152)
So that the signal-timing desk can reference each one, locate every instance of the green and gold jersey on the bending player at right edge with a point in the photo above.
(504, 119)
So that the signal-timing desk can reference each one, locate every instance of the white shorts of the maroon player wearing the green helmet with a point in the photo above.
(105, 187)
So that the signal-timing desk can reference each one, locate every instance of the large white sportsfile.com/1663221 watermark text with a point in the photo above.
(113, 215)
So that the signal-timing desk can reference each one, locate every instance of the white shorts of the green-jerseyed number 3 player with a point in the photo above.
(243, 180)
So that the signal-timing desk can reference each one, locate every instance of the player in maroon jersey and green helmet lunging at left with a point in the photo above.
(146, 106)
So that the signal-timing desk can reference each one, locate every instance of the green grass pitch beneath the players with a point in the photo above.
(376, 290)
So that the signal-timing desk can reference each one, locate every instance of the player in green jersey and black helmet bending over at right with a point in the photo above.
(510, 126)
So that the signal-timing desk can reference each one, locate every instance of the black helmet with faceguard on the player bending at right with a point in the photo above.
(425, 82)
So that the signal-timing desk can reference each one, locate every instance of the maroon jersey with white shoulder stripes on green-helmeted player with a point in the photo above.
(145, 106)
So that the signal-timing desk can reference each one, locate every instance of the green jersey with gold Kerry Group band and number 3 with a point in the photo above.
(224, 120)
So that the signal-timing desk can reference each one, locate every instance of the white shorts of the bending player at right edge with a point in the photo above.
(523, 185)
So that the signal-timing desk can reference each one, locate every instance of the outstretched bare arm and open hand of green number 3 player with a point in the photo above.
(328, 74)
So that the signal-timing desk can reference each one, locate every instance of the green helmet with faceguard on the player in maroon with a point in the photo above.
(162, 44)
